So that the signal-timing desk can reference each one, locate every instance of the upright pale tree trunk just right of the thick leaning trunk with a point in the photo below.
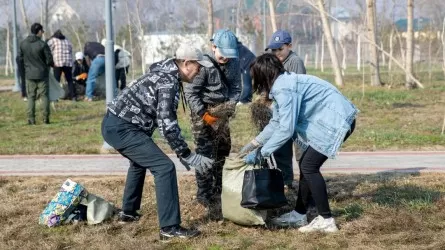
(374, 59)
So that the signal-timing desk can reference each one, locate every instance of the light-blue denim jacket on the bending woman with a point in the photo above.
(309, 110)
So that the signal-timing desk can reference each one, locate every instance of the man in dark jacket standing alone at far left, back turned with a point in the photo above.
(36, 57)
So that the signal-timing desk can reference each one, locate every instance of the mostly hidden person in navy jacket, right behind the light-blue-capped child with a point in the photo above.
(246, 57)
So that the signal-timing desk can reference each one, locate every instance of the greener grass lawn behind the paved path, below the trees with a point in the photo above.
(390, 119)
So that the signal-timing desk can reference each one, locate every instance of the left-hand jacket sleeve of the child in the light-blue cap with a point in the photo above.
(193, 91)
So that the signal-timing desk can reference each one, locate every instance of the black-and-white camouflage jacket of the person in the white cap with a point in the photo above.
(152, 101)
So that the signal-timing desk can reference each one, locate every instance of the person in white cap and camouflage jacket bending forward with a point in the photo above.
(149, 103)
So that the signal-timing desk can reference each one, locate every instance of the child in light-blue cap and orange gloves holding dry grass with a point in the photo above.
(213, 87)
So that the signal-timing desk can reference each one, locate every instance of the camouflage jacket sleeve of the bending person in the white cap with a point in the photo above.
(167, 119)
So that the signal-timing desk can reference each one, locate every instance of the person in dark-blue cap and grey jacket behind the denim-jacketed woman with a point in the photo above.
(281, 46)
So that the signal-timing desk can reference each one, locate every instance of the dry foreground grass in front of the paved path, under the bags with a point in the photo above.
(383, 211)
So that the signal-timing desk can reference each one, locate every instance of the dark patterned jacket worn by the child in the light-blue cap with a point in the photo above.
(208, 89)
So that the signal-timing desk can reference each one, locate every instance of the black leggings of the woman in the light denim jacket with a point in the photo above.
(312, 187)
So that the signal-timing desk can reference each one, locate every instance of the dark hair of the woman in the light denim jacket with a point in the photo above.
(264, 71)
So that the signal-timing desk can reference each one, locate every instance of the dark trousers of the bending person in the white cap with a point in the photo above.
(134, 144)
